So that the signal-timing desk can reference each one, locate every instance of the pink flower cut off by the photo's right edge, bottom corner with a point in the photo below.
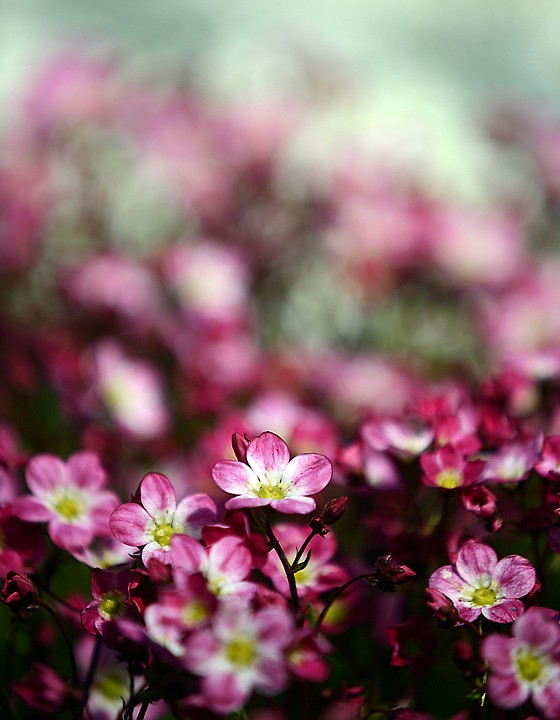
(527, 664)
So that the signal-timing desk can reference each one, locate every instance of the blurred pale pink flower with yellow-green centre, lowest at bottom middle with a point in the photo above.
(239, 652)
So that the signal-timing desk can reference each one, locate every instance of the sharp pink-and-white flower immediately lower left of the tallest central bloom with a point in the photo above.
(157, 518)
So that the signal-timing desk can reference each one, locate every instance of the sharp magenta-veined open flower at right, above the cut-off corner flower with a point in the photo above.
(478, 583)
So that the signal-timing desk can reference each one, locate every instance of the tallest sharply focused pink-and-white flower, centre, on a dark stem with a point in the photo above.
(271, 478)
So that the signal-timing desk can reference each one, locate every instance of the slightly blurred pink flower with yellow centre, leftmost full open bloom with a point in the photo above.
(69, 496)
